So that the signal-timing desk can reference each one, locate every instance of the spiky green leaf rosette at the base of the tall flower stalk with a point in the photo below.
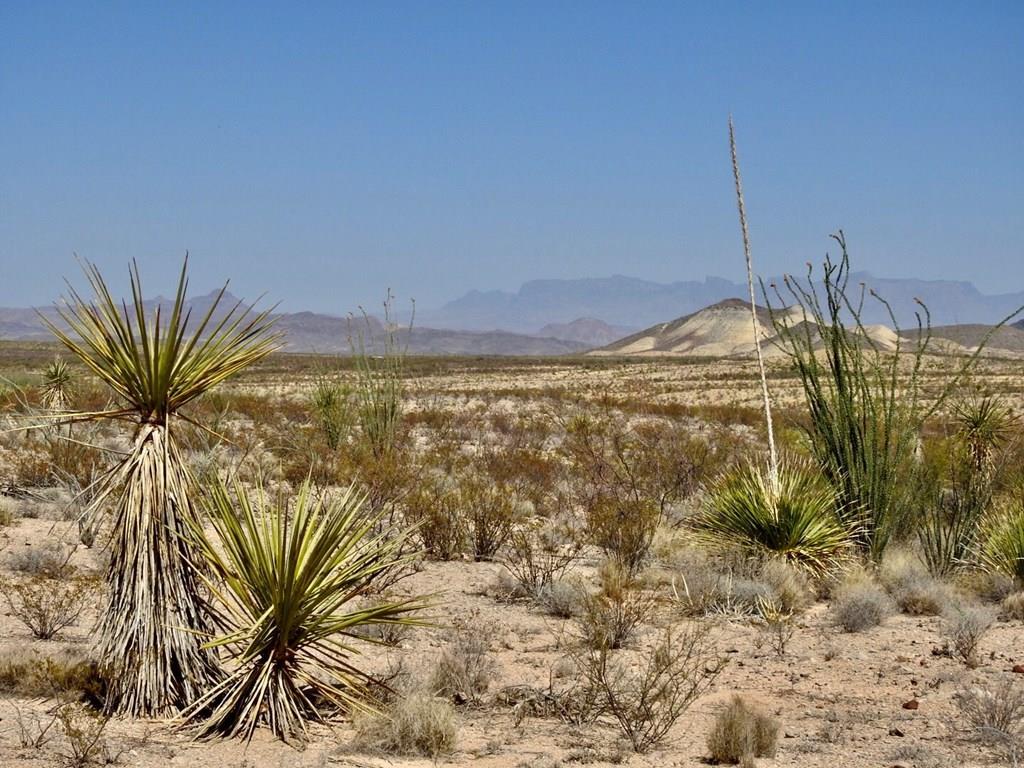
(794, 519)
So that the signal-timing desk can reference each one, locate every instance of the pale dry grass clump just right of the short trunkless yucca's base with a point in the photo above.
(416, 723)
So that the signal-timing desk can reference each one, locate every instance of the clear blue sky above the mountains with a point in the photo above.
(322, 153)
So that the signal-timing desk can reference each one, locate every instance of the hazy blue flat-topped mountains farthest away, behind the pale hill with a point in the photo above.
(631, 303)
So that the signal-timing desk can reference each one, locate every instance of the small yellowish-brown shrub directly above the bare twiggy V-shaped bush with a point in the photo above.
(610, 619)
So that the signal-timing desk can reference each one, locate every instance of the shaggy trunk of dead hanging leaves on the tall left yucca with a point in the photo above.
(150, 625)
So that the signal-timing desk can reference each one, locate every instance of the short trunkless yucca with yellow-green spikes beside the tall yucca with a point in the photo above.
(286, 581)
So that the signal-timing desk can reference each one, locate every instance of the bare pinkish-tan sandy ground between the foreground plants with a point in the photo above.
(838, 696)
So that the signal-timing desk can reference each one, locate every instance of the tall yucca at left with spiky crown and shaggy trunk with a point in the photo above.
(156, 365)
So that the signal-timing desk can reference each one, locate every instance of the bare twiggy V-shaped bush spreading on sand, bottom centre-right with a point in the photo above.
(647, 701)
